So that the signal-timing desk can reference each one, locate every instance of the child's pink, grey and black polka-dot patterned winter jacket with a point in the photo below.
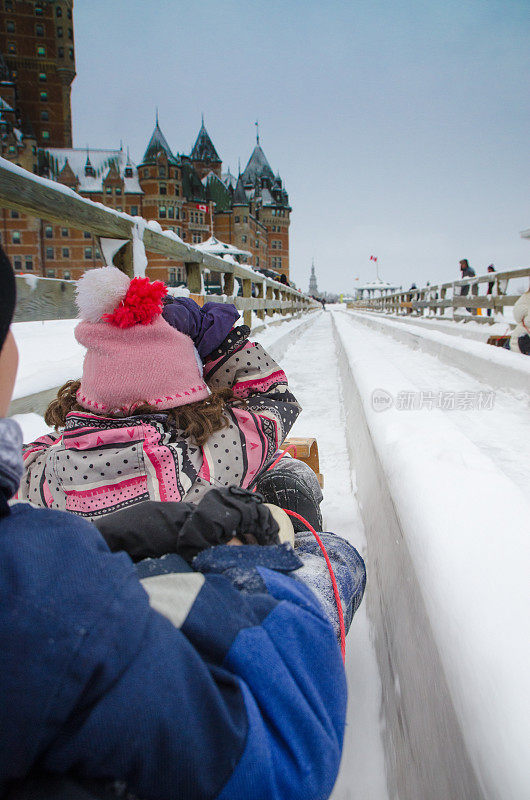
(98, 465)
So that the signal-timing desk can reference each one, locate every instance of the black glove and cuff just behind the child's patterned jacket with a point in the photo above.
(152, 529)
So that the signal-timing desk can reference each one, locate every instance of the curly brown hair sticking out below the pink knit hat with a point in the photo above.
(198, 421)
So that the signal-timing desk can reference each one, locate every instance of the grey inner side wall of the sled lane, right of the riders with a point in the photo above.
(425, 752)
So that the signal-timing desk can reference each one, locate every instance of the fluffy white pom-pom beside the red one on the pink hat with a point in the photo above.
(99, 291)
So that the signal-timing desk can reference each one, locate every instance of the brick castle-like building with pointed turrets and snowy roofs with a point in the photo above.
(188, 194)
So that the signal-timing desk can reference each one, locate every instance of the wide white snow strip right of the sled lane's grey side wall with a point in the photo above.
(459, 481)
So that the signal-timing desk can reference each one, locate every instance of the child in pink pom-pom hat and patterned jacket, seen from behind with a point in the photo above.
(151, 419)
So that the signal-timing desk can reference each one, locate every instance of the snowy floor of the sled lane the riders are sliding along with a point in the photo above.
(311, 367)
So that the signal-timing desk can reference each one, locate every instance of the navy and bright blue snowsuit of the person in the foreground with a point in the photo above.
(200, 691)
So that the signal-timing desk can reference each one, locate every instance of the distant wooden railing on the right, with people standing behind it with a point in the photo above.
(435, 300)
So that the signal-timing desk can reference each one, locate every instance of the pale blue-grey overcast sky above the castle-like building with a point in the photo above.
(400, 127)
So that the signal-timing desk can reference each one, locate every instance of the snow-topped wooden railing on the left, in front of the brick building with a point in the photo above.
(45, 199)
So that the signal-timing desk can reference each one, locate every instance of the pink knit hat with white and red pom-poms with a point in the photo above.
(133, 355)
